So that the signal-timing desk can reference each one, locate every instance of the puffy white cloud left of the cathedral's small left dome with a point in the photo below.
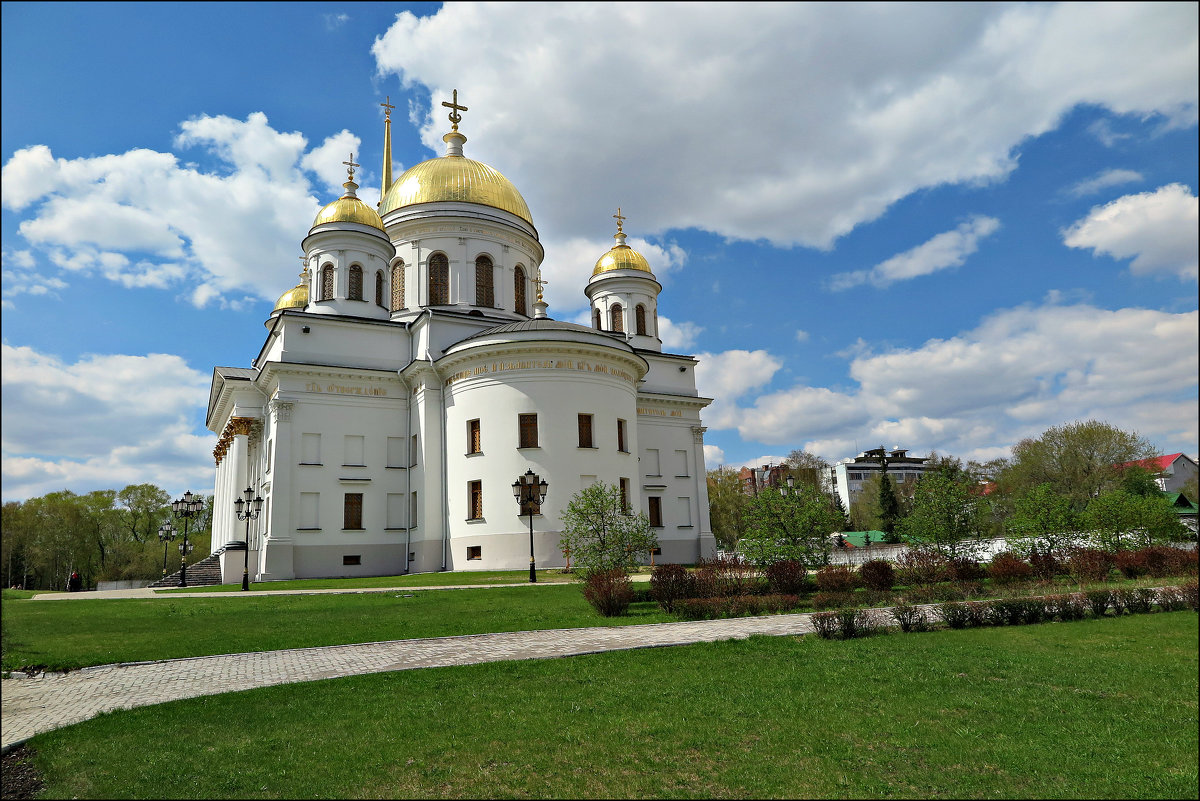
(143, 219)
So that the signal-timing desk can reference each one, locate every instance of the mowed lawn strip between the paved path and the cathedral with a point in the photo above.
(69, 635)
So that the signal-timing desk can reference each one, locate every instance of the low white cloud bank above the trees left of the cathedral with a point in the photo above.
(101, 423)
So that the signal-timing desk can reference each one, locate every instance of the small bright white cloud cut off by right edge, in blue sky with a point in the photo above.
(1157, 230)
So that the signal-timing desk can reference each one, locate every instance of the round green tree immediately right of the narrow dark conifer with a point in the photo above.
(946, 517)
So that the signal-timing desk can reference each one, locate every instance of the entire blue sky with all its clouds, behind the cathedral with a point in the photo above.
(929, 226)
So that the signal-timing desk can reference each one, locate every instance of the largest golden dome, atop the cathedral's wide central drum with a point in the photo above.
(455, 179)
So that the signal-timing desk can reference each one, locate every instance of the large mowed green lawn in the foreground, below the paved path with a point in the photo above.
(1093, 709)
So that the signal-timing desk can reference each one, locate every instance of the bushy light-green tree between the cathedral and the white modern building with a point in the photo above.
(796, 525)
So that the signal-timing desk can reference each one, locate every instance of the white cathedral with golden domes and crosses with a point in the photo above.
(413, 376)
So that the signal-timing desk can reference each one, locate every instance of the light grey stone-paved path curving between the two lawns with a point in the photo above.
(52, 701)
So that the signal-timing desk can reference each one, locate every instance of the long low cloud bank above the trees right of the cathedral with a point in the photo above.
(1018, 374)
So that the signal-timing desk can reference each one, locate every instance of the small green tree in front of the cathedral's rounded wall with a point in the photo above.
(601, 534)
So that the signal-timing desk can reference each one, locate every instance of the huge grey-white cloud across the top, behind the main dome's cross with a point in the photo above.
(891, 99)
